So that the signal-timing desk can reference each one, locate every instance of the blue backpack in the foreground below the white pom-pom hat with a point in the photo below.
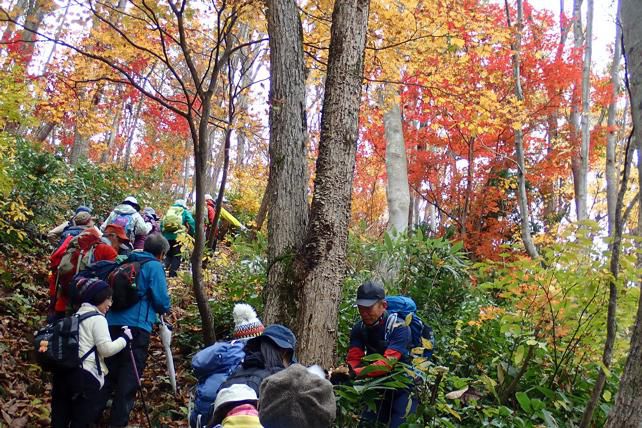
(212, 366)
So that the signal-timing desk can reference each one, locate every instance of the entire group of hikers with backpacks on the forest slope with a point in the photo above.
(108, 289)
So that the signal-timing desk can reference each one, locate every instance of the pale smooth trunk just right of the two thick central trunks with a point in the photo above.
(397, 191)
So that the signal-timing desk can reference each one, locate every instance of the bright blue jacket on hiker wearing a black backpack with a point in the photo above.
(153, 288)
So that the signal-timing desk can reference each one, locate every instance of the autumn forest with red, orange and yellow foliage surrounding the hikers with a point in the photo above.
(482, 157)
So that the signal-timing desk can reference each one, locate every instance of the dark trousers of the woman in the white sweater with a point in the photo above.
(75, 400)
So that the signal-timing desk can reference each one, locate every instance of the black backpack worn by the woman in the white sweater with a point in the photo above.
(57, 344)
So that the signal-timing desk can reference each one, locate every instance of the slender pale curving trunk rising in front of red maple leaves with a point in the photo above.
(522, 197)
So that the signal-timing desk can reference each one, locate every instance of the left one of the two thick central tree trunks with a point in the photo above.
(288, 175)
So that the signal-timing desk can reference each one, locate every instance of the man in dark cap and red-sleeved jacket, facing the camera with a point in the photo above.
(370, 336)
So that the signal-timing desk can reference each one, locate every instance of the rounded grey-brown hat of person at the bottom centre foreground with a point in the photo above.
(297, 397)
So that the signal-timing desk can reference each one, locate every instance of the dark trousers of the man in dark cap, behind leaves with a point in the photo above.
(391, 411)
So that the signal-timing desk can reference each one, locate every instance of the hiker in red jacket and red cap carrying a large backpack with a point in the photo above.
(74, 255)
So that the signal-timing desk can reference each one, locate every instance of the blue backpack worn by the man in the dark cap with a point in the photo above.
(403, 306)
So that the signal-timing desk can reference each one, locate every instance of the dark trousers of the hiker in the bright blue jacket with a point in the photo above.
(121, 381)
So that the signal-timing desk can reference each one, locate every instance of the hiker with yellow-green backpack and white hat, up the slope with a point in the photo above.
(178, 219)
